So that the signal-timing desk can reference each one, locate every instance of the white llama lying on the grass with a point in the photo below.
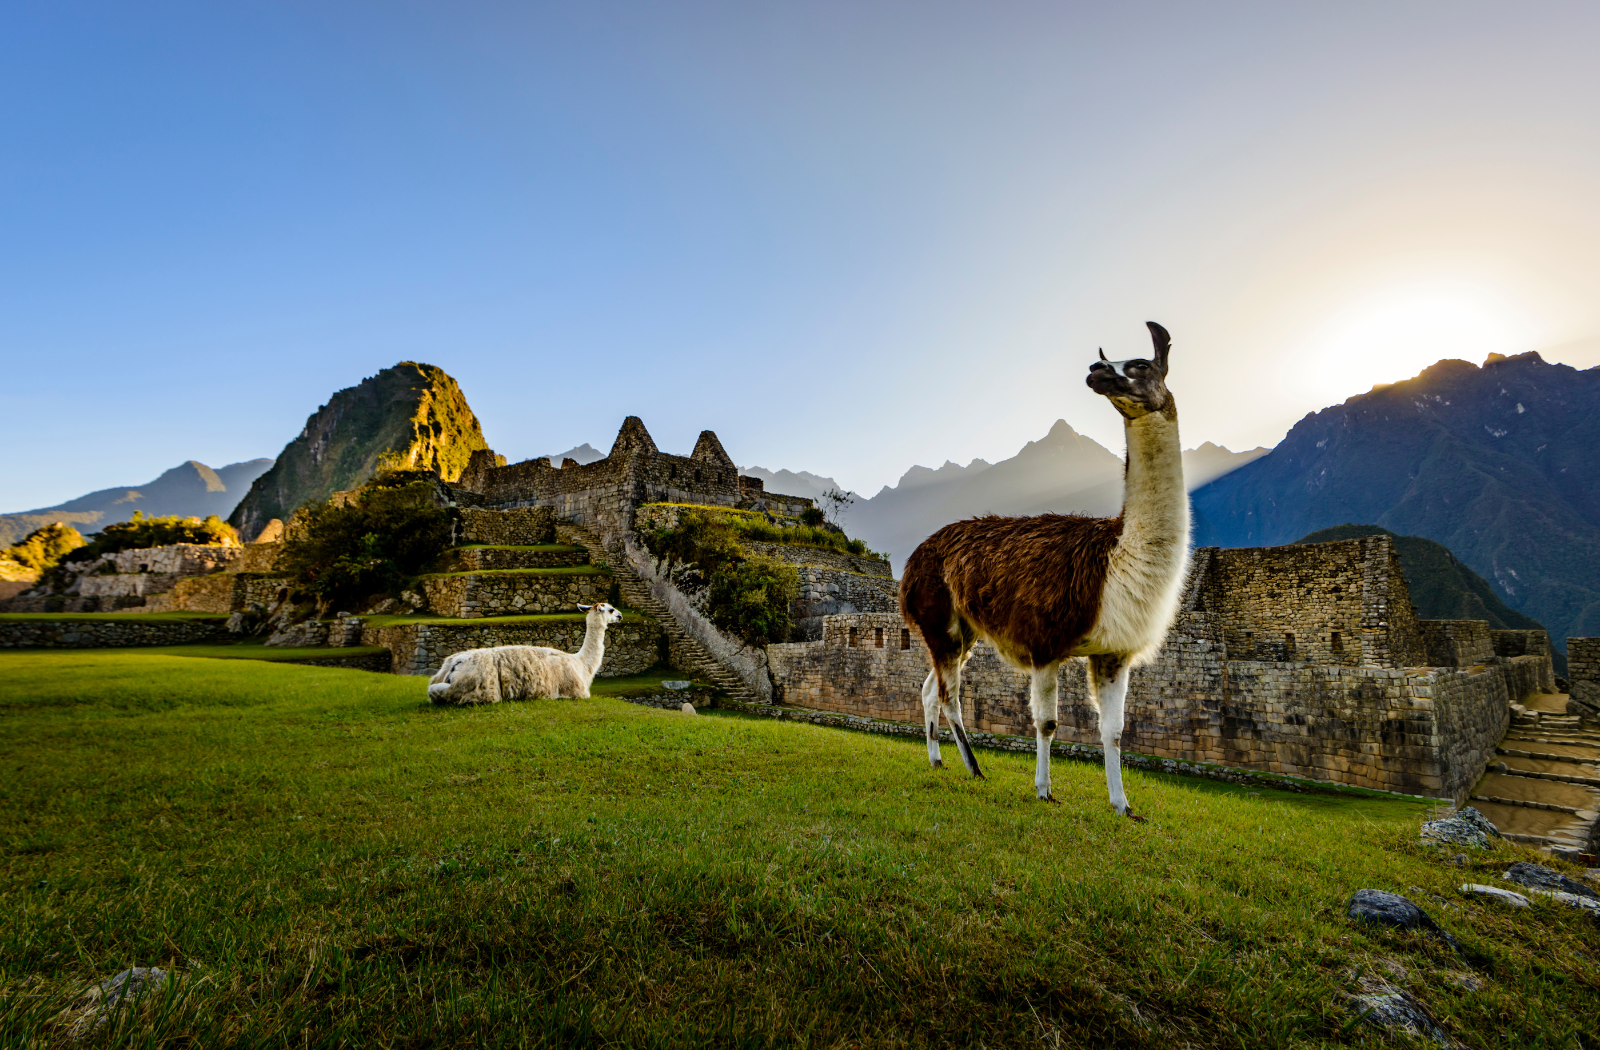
(487, 676)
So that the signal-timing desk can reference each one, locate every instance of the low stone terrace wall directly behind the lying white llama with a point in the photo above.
(631, 647)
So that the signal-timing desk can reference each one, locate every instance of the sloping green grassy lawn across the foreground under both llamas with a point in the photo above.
(334, 862)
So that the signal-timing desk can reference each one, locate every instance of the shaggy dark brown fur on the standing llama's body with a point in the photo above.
(1030, 585)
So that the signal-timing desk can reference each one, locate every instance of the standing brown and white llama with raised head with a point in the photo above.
(1057, 587)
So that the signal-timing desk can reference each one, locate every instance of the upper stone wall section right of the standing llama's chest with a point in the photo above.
(1337, 604)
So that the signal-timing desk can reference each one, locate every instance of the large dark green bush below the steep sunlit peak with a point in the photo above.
(367, 547)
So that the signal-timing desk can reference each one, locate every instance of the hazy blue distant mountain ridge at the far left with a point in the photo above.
(188, 491)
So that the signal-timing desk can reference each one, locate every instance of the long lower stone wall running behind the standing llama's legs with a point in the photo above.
(1418, 732)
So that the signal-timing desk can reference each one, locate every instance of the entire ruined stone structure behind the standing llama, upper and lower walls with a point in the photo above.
(1302, 660)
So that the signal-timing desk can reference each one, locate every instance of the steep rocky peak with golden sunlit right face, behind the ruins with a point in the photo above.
(412, 412)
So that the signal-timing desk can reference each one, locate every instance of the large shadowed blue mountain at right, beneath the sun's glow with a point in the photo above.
(1495, 463)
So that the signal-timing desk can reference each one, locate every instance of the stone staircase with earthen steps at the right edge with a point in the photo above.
(1545, 788)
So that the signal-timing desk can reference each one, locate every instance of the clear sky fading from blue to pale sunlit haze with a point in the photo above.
(846, 236)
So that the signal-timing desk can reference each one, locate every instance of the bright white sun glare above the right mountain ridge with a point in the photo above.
(1399, 332)
